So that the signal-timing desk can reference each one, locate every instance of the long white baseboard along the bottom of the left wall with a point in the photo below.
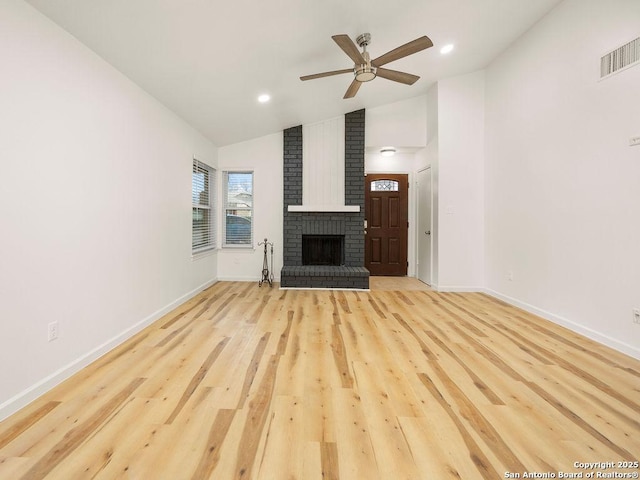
(27, 396)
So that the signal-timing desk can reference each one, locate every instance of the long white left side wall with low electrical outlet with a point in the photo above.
(95, 206)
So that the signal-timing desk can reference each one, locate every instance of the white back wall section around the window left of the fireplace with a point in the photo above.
(263, 156)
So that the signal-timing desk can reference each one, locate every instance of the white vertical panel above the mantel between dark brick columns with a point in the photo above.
(323, 162)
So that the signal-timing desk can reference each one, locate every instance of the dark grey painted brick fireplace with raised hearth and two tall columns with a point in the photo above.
(348, 226)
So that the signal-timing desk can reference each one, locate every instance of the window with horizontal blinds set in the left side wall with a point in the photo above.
(203, 181)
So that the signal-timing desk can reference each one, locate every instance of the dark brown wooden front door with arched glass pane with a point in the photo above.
(386, 214)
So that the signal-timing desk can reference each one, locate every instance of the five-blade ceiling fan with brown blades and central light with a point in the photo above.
(366, 69)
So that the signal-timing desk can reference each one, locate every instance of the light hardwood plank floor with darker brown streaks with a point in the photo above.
(248, 382)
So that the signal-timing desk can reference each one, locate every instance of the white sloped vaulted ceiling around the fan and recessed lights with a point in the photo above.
(208, 60)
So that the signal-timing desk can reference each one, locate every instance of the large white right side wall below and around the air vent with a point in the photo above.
(562, 184)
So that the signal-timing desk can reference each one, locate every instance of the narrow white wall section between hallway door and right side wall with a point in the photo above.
(460, 183)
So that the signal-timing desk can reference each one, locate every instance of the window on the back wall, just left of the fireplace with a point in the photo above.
(238, 209)
